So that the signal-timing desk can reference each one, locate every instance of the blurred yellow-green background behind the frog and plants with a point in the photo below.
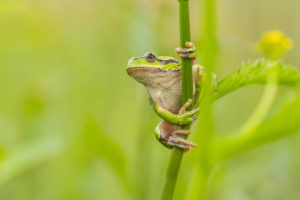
(74, 125)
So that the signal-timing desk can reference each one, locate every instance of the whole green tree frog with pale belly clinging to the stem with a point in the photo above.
(161, 76)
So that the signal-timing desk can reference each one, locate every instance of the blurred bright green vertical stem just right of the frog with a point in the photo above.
(205, 137)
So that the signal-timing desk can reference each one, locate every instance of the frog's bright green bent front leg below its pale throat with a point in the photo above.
(182, 118)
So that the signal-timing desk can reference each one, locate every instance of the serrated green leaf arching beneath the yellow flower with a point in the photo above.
(256, 73)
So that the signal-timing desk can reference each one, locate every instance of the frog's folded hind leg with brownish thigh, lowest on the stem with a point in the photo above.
(170, 136)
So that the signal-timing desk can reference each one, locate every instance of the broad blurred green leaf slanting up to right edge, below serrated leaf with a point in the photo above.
(269, 130)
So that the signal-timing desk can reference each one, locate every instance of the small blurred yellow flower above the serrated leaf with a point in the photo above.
(274, 44)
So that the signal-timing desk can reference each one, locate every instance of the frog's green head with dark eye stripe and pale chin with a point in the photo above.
(150, 67)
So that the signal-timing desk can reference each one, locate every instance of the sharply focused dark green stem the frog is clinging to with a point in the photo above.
(187, 92)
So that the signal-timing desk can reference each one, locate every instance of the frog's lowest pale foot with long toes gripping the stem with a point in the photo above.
(175, 140)
